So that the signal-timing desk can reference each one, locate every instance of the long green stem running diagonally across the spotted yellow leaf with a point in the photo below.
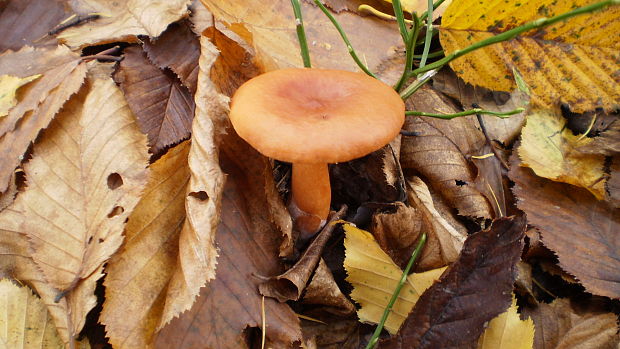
(511, 34)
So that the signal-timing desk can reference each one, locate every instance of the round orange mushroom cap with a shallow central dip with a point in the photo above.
(309, 115)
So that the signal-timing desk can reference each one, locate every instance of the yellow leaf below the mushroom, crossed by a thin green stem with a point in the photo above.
(374, 277)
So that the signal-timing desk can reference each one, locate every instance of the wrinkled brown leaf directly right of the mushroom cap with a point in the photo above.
(440, 153)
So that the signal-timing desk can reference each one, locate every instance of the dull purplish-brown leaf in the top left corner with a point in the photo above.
(28, 22)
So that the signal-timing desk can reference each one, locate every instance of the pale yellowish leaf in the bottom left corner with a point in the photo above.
(24, 319)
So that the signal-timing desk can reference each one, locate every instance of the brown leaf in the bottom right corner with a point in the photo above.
(558, 325)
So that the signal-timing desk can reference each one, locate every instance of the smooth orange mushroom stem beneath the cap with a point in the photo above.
(311, 196)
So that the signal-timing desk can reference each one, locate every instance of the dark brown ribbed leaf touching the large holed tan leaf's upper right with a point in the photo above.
(163, 107)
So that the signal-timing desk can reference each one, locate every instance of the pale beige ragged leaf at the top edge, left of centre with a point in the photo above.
(122, 20)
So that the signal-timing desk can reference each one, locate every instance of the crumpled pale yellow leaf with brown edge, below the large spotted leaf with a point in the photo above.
(549, 148)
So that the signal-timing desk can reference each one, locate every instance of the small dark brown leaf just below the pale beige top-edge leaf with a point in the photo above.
(177, 48)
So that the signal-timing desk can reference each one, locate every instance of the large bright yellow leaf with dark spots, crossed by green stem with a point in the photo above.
(574, 61)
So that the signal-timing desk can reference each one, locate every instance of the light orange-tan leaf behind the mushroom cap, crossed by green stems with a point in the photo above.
(270, 27)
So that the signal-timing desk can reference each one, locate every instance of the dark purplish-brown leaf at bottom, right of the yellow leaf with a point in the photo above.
(473, 290)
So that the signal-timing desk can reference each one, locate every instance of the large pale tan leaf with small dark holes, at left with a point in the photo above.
(84, 179)
